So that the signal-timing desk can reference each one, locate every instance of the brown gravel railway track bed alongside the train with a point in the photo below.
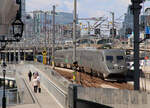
(87, 80)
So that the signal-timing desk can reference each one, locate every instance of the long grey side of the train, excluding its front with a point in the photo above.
(92, 61)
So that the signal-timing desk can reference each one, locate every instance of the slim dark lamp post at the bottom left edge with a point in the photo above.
(4, 73)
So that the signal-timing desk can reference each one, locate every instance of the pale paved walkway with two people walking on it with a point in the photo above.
(43, 99)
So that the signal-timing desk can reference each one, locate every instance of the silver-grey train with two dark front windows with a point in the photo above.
(105, 63)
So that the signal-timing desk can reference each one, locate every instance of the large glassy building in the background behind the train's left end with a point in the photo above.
(40, 24)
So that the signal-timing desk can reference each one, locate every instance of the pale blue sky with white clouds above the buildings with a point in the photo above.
(85, 8)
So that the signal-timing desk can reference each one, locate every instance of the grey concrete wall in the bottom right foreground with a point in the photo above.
(114, 98)
